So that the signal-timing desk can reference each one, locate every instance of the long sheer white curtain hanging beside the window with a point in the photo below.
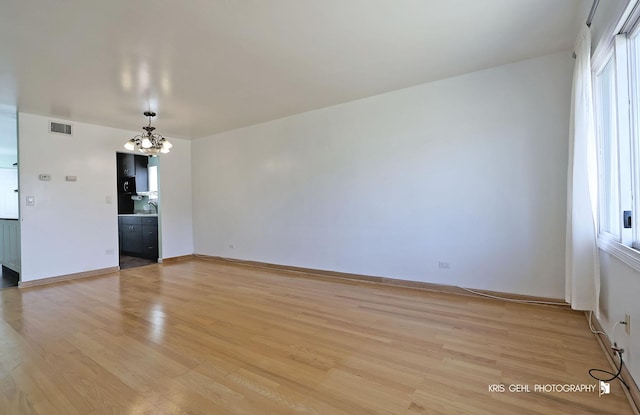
(582, 264)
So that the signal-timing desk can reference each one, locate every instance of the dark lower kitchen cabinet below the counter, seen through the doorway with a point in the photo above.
(138, 236)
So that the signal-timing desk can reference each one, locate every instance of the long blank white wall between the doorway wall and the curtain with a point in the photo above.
(469, 170)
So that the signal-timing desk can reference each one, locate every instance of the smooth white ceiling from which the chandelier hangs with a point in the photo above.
(213, 65)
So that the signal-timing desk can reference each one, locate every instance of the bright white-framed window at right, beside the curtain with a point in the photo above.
(616, 89)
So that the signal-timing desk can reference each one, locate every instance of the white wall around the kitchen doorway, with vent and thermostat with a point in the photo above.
(71, 226)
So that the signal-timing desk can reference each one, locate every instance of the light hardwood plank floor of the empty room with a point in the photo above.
(199, 337)
